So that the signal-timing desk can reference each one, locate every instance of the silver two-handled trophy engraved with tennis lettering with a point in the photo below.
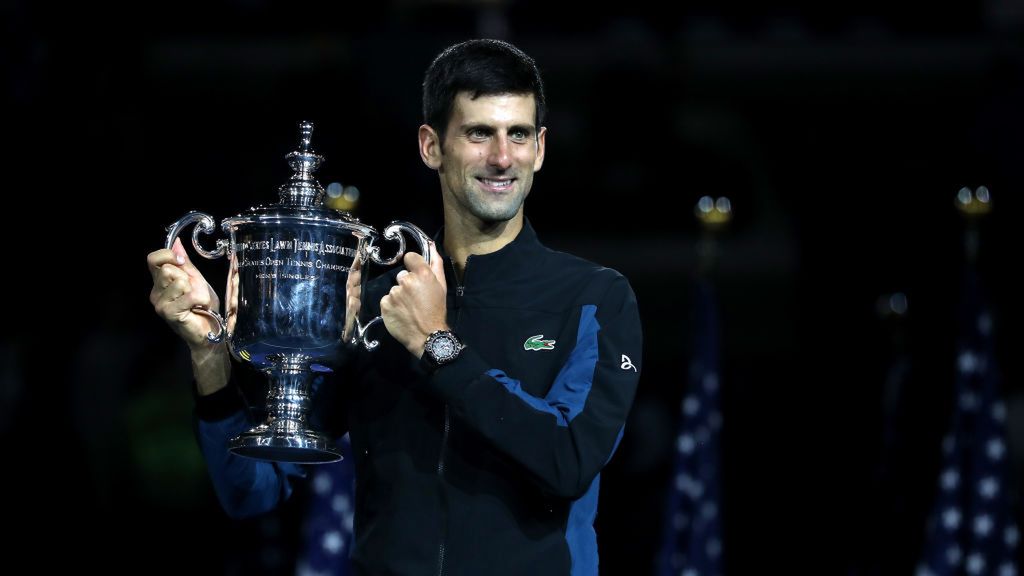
(293, 300)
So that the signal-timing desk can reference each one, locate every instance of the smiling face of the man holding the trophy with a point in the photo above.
(492, 149)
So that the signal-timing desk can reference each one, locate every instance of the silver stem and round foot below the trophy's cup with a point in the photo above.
(284, 437)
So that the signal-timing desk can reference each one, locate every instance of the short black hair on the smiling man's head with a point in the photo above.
(481, 68)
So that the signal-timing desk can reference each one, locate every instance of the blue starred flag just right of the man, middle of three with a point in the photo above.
(693, 538)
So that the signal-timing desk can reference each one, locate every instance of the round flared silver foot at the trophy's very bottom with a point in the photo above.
(303, 447)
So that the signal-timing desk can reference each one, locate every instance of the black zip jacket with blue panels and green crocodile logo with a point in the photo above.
(492, 465)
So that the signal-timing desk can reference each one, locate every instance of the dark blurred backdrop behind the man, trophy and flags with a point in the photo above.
(841, 134)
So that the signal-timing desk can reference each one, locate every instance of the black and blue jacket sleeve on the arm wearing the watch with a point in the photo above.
(566, 438)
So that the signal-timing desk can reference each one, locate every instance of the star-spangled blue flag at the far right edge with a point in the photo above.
(971, 530)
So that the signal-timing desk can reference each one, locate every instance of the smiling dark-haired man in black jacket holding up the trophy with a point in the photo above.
(481, 426)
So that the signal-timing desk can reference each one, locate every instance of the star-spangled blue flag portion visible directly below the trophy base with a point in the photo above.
(328, 523)
